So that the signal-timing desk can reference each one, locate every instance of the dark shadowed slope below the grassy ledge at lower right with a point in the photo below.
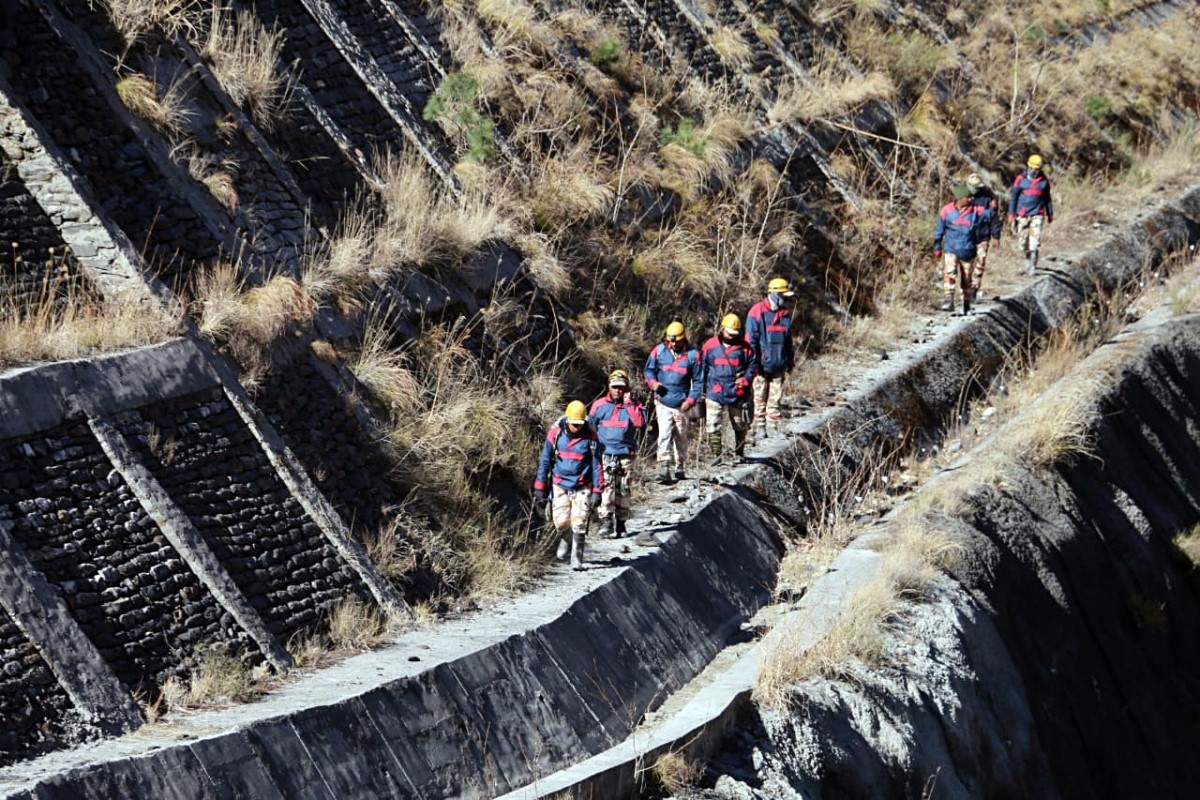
(1061, 659)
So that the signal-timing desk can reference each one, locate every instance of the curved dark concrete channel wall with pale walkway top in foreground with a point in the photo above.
(508, 701)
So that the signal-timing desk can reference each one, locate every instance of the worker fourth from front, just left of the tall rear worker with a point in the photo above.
(729, 369)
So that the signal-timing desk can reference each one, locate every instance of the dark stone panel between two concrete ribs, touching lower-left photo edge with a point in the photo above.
(129, 591)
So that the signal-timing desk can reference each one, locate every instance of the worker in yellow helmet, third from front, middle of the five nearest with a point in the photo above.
(675, 374)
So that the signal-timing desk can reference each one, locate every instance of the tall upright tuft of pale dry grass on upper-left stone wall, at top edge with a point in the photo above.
(247, 62)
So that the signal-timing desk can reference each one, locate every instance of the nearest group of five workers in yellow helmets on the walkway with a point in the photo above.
(737, 375)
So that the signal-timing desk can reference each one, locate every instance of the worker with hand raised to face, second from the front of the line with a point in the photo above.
(619, 420)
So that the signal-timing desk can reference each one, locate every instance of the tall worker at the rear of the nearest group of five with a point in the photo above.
(770, 336)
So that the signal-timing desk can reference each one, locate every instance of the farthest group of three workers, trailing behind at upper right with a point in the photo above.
(969, 230)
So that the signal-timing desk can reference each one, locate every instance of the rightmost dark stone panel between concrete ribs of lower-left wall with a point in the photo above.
(202, 453)
